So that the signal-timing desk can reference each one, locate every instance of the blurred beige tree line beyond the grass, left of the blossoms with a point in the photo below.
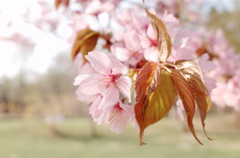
(48, 93)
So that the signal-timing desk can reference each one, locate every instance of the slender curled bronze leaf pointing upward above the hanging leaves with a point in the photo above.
(162, 36)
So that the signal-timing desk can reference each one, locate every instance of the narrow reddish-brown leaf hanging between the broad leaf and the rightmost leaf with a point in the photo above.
(185, 93)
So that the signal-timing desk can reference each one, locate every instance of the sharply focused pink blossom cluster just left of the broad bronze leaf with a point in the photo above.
(103, 88)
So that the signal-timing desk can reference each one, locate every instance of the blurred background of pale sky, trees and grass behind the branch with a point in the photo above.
(40, 115)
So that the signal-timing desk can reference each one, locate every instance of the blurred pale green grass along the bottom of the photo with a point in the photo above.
(166, 139)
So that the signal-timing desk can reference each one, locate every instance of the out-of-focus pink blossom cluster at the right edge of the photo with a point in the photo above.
(228, 67)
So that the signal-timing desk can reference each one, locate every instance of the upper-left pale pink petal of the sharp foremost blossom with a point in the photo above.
(99, 61)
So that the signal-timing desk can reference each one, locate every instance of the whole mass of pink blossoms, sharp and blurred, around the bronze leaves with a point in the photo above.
(126, 41)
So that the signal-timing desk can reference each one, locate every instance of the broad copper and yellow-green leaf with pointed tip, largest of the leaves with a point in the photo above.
(155, 96)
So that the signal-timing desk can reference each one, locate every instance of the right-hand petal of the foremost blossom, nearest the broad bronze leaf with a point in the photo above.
(124, 85)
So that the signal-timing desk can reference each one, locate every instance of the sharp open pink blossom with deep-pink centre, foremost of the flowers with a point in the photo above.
(108, 79)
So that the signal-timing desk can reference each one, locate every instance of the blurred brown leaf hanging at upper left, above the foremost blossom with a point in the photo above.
(85, 41)
